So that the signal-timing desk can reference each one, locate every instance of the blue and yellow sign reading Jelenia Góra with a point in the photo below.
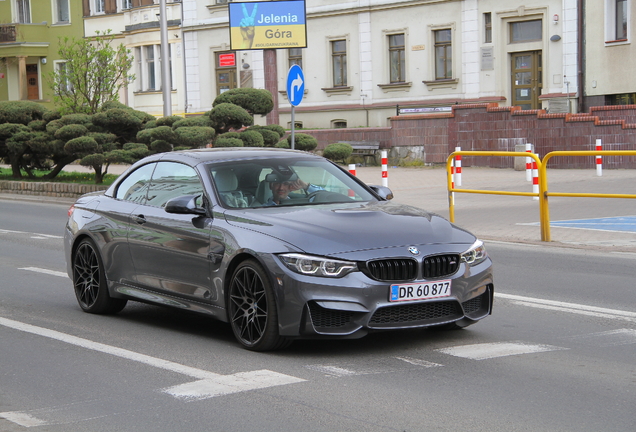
(267, 25)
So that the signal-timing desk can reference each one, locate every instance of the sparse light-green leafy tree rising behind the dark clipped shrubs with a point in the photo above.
(92, 75)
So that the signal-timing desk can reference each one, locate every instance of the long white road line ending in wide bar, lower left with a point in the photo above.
(215, 384)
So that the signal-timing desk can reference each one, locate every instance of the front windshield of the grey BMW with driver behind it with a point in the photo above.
(271, 182)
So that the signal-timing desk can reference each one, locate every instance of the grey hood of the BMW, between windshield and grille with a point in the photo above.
(339, 228)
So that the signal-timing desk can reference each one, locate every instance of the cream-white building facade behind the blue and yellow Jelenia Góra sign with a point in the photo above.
(366, 61)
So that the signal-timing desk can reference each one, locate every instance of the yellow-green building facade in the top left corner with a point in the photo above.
(29, 34)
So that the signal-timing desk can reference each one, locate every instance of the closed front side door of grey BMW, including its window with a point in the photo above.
(170, 251)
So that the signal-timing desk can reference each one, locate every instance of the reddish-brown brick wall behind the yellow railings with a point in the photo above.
(491, 127)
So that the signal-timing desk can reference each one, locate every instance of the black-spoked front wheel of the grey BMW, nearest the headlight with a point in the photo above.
(252, 309)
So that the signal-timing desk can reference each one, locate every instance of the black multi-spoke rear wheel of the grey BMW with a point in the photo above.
(89, 281)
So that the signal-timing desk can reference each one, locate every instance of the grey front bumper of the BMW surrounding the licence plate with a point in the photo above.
(354, 305)
